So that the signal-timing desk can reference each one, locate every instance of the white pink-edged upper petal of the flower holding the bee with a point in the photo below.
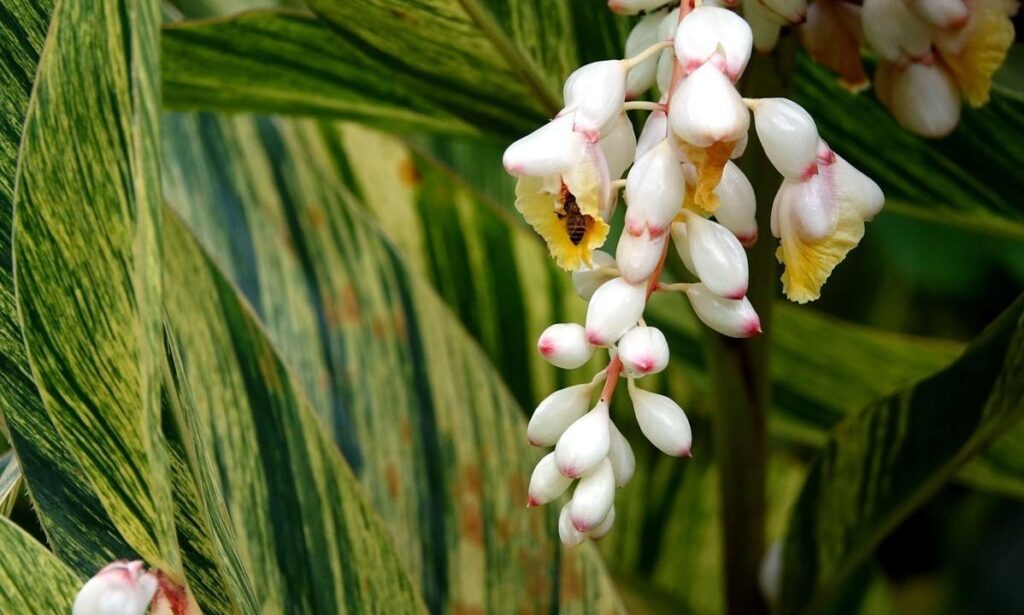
(548, 151)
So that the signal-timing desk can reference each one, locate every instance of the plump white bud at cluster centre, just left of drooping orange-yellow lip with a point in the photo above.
(655, 190)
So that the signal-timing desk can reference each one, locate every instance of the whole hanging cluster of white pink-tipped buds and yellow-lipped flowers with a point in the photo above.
(682, 188)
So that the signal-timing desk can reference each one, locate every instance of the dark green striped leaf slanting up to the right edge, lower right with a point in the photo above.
(883, 463)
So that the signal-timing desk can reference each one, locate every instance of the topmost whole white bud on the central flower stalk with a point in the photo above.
(715, 35)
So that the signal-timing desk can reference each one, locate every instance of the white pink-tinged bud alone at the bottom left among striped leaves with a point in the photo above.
(120, 589)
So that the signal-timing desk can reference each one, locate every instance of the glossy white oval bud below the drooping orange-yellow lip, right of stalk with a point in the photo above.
(718, 258)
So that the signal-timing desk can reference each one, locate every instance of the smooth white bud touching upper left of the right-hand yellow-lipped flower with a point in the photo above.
(788, 135)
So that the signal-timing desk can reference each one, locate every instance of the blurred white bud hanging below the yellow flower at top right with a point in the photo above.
(925, 101)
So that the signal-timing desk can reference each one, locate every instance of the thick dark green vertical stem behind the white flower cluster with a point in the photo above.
(740, 371)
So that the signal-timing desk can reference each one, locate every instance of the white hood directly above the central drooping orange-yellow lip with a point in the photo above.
(707, 109)
